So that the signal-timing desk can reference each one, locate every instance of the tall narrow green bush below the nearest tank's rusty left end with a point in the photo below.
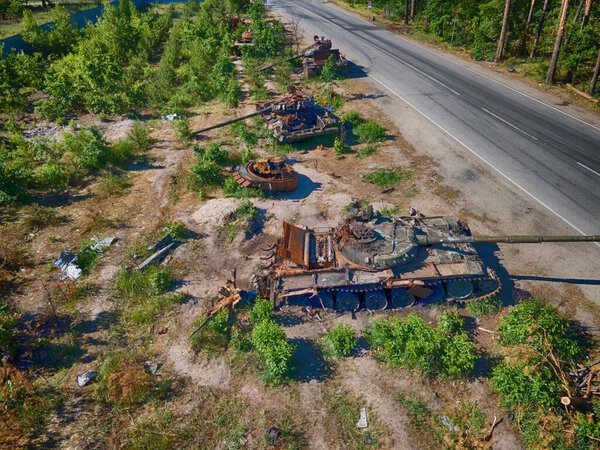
(274, 350)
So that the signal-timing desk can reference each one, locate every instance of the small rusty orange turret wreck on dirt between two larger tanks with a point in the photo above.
(269, 174)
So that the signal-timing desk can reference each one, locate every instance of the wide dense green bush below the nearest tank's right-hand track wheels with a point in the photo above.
(413, 344)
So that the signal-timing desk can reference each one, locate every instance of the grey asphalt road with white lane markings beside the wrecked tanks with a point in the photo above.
(550, 155)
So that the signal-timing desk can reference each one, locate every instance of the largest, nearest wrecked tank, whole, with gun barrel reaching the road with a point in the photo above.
(375, 262)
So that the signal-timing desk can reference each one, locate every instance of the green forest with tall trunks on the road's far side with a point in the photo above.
(554, 40)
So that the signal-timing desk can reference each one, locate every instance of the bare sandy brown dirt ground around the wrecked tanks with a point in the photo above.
(441, 182)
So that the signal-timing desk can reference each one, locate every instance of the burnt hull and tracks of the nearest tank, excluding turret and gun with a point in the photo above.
(315, 268)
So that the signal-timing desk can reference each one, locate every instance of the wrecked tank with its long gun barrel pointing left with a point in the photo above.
(290, 118)
